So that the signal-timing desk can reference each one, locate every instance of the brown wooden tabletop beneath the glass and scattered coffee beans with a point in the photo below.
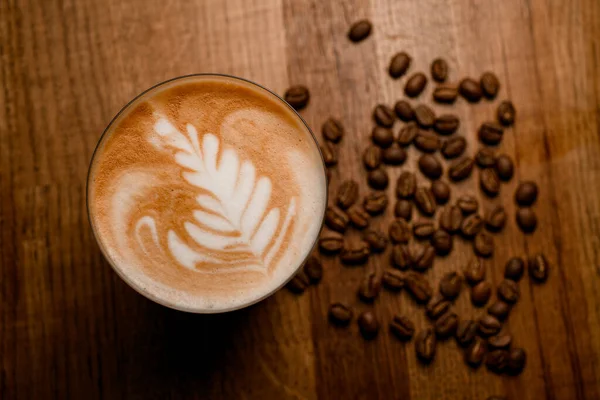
(70, 328)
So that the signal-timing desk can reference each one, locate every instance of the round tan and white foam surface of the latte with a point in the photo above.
(206, 193)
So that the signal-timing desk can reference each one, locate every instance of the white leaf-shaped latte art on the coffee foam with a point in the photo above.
(232, 215)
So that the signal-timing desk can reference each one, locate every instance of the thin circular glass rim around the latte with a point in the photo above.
(152, 296)
